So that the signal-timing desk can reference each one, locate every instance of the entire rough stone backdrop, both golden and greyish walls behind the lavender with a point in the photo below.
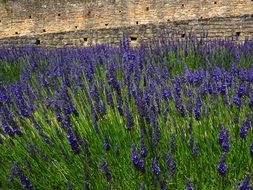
(85, 22)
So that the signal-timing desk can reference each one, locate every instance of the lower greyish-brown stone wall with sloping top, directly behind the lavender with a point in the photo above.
(237, 28)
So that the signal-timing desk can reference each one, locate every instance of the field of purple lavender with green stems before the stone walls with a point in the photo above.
(174, 115)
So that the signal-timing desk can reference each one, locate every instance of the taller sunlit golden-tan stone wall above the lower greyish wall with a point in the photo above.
(33, 17)
